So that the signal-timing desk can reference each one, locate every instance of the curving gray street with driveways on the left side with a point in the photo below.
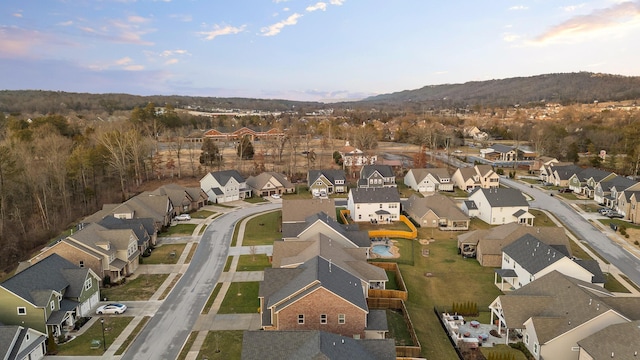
(168, 330)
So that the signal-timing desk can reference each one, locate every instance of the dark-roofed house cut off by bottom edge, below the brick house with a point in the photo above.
(313, 344)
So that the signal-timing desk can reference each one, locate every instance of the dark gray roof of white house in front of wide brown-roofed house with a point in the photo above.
(532, 254)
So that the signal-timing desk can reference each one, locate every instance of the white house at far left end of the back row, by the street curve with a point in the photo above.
(224, 186)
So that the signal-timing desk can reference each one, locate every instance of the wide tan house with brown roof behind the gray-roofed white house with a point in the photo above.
(486, 245)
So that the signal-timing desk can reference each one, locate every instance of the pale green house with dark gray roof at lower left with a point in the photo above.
(49, 295)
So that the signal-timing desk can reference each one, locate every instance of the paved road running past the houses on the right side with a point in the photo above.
(610, 250)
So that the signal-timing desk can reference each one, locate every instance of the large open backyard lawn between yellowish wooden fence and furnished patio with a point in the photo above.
(453, 279)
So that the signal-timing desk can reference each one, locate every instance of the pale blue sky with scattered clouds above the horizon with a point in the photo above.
(328, 50)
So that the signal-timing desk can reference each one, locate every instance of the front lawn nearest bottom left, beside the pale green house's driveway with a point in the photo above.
(81, 345)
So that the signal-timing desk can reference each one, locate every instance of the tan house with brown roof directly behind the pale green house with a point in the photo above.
(112, 254)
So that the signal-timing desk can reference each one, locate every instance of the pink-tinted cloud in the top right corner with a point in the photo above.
(617, 16)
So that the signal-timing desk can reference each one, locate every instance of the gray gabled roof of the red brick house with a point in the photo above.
(279, 285)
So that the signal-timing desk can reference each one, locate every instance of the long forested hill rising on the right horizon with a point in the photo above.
(569, 88)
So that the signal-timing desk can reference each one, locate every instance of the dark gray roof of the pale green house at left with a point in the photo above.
(54, 273)
